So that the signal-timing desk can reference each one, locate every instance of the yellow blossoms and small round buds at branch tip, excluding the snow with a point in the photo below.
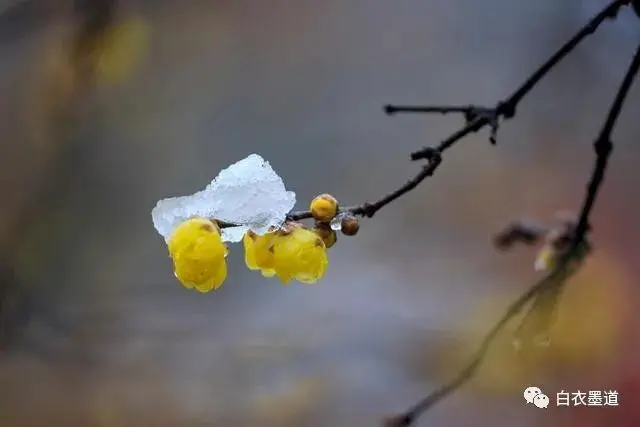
(291, 251)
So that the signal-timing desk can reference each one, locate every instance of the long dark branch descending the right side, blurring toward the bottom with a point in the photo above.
(548, 287)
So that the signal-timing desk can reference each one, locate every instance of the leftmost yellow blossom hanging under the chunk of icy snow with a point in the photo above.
(198, 254)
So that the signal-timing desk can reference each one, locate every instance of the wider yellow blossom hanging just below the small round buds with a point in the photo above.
(293, 253)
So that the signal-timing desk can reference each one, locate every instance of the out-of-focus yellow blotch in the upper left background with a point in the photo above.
(119, 51)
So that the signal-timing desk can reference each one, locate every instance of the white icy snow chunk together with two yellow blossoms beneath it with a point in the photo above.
(247, 200)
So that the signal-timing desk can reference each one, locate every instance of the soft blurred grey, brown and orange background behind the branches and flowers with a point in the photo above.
(96, 331)
